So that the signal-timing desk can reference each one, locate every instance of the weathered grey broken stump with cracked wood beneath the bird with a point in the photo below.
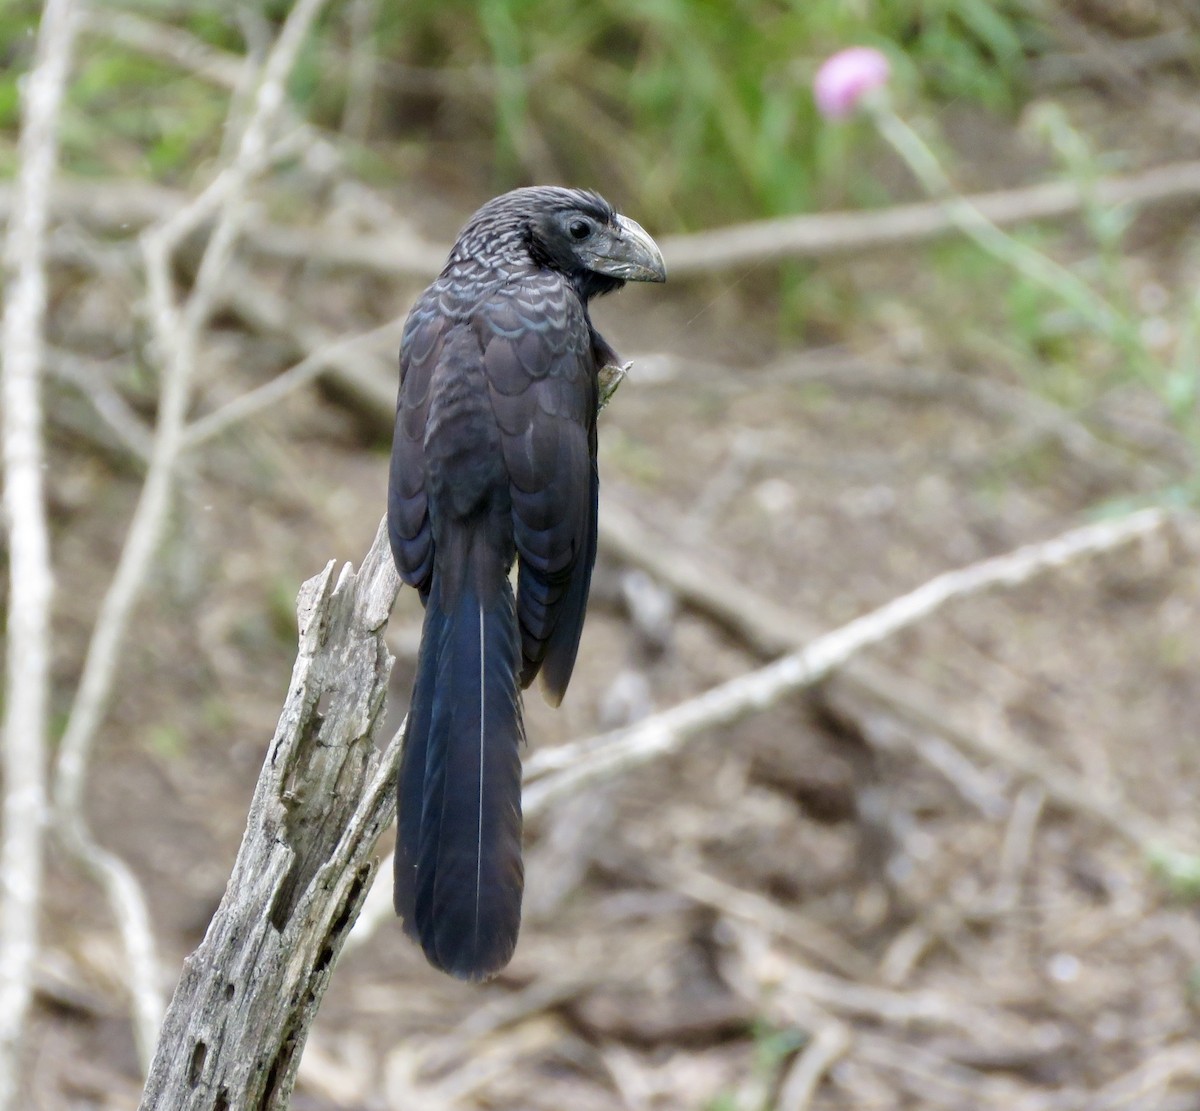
(245, 1001)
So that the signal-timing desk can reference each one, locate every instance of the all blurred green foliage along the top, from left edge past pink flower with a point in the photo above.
(701, 109)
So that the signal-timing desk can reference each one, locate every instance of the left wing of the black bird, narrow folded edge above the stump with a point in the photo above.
(409, 520)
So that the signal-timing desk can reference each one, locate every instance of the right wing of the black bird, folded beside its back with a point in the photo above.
(542, 375)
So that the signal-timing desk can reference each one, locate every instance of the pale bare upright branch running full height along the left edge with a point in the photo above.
(31, 581)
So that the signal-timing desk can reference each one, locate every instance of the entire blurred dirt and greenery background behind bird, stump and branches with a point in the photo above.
(928, 884)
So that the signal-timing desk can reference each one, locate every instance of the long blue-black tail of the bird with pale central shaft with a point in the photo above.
(459, 872)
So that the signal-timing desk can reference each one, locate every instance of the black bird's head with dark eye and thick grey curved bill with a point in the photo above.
(577, 233)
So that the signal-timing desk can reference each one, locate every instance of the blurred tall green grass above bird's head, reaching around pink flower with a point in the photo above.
(703, 107)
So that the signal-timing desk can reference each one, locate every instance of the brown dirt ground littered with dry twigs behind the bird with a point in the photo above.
(925, 885)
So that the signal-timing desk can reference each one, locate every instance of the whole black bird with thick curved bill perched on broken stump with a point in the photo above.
(495, 461)
